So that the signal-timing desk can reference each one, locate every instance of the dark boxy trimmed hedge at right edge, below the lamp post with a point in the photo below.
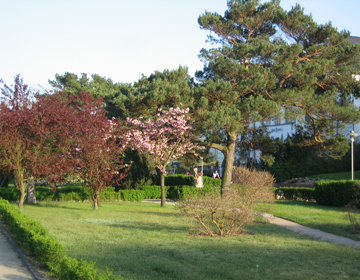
(337, 193)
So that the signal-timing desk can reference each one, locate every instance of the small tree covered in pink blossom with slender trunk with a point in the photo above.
(166, 138)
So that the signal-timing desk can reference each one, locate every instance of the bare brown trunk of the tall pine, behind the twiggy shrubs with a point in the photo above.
(229, 162)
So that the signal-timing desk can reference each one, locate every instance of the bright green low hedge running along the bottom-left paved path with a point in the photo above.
(44, 247)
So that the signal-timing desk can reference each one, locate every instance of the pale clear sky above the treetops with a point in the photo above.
(121, 39)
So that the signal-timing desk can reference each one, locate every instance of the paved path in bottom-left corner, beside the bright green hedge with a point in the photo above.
(11, 265)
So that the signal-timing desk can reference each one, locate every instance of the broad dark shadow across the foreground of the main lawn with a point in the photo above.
(248, 257)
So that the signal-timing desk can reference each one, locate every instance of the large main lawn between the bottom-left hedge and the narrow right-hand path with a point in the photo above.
(145, 241)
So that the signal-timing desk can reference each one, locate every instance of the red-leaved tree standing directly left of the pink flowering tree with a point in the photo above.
(98, 146)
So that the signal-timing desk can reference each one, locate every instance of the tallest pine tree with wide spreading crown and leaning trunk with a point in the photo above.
(269, 59)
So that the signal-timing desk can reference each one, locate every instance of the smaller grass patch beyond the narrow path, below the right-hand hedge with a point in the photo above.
(325, 218)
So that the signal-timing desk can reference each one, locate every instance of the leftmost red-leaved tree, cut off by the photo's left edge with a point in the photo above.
(34, 131)
